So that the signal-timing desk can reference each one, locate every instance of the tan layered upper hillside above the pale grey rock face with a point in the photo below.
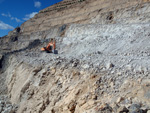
(88, 11)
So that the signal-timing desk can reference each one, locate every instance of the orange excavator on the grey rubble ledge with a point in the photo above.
(50, 47)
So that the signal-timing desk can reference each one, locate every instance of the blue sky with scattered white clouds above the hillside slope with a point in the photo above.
(14, 12)
